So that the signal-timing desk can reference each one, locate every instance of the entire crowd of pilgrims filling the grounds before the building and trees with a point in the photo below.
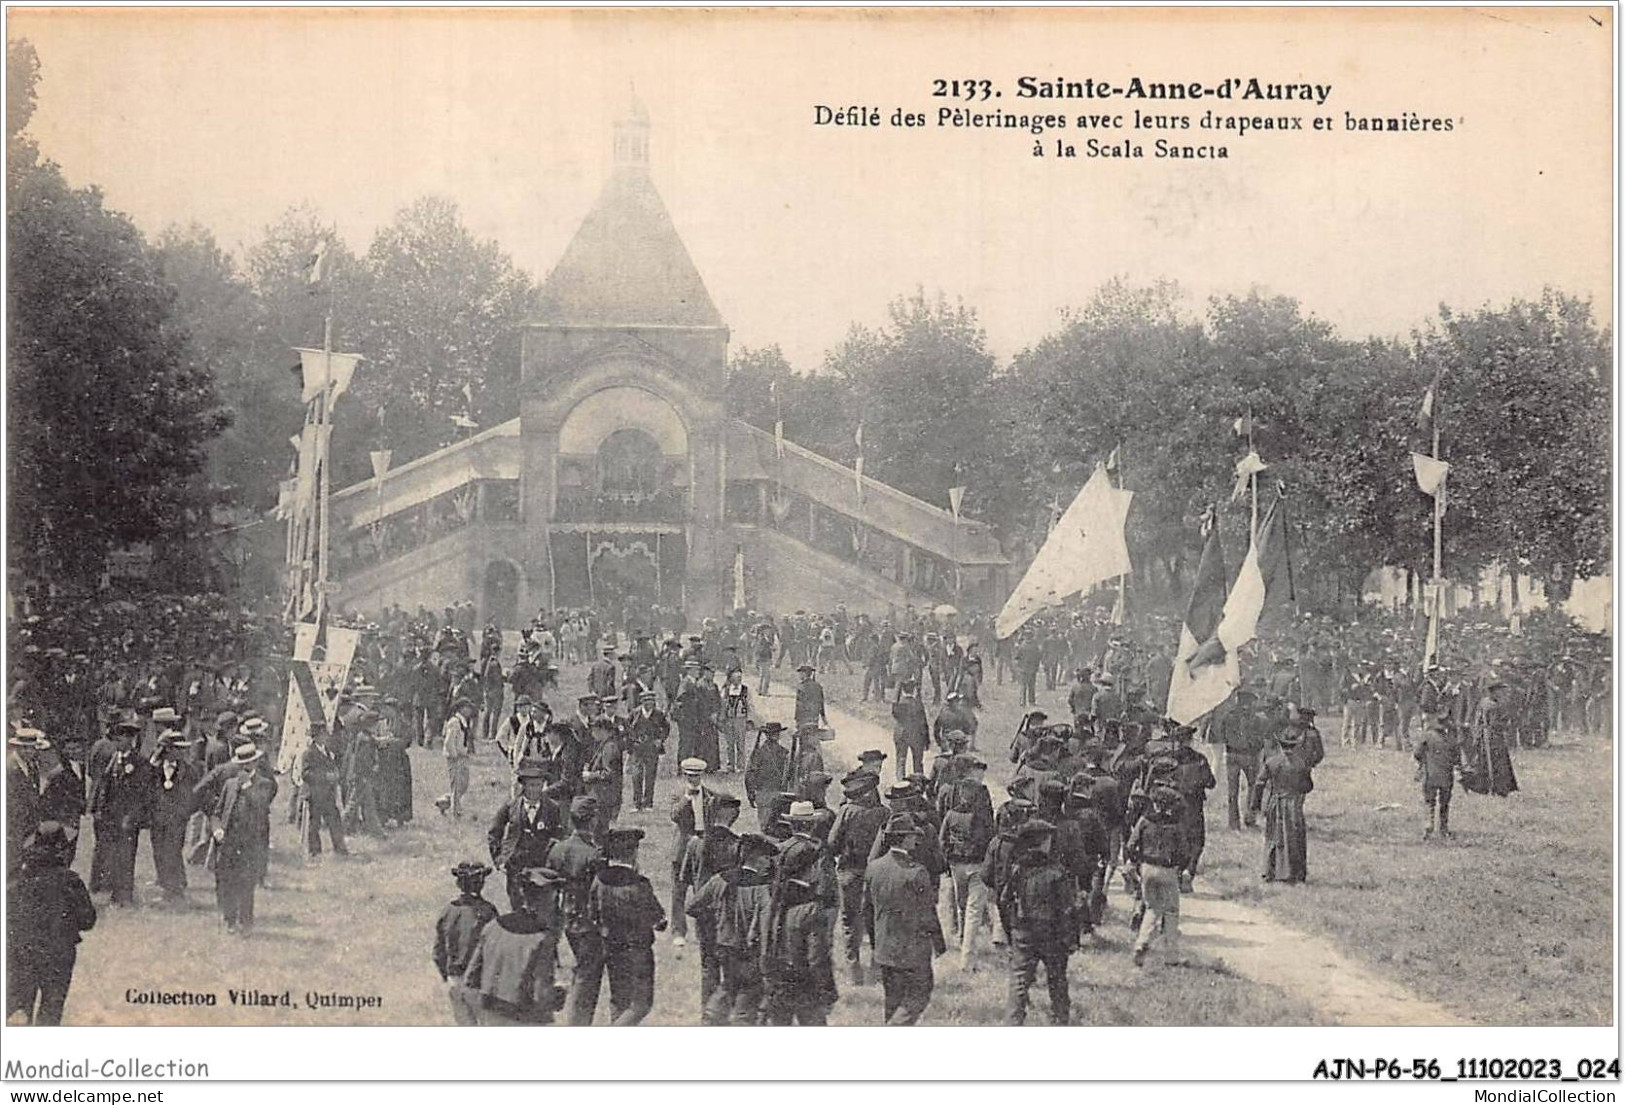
(160, 716)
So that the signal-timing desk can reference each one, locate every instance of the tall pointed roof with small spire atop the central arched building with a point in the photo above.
(626, 266)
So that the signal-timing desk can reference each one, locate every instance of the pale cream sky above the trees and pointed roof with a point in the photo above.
(230, 116)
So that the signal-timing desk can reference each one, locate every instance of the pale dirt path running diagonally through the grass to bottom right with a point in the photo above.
(1246, 940)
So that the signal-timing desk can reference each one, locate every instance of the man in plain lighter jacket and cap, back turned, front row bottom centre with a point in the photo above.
(908, 934)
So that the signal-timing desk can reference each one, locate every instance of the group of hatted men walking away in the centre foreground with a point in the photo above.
(776, 912)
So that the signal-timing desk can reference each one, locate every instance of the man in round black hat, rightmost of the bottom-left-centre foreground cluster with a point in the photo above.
(626, 914)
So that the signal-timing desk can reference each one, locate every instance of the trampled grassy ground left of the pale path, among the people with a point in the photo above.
(365, 925)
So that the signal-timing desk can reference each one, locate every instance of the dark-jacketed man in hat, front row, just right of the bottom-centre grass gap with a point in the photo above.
(732, 908)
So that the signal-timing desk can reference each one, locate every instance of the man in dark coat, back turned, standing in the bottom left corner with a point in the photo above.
(48, 908)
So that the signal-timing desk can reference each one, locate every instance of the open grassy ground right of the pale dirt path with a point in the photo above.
(1509, 924)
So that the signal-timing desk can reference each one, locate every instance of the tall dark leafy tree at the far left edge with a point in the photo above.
(108, 418)
